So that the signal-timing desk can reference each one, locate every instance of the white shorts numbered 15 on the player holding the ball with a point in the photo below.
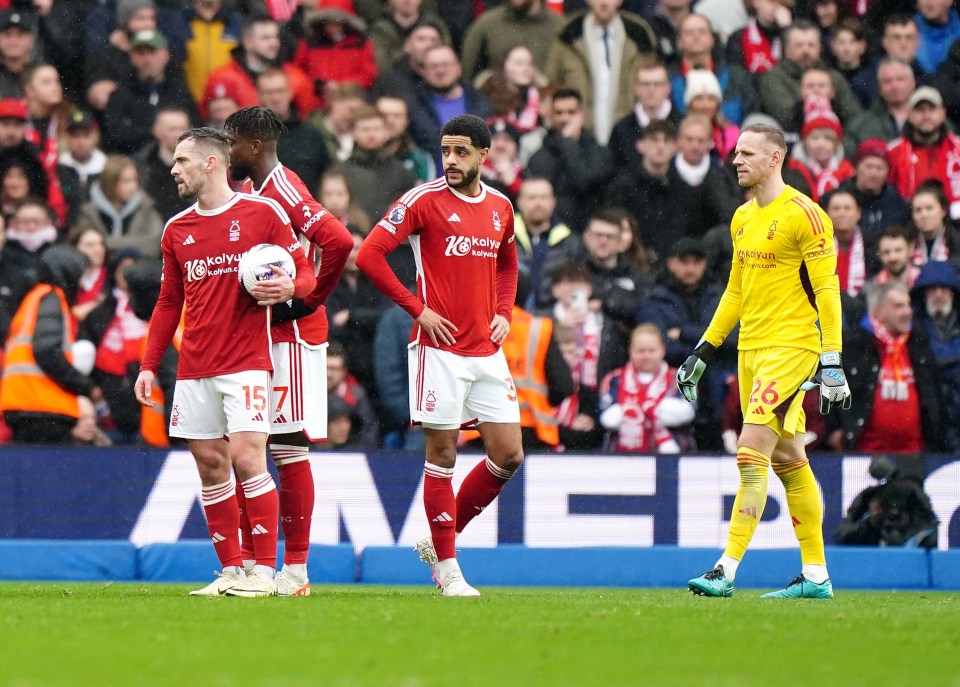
(214, 407)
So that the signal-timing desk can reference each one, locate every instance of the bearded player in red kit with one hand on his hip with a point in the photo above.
(461, 233)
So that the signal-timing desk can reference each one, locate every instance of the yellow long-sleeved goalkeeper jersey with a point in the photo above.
(783, 278)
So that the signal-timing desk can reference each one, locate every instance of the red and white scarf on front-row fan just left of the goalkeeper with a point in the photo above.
(640, 431)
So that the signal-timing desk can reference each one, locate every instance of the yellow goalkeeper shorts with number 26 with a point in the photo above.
(770, 380)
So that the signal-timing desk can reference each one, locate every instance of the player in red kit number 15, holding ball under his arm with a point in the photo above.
(223, 379)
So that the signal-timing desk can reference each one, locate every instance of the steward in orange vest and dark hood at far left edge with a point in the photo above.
(38, 396)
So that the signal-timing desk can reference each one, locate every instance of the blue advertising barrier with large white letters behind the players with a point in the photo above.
(565, 519)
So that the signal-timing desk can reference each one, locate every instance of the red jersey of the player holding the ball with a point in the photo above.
(225, 331)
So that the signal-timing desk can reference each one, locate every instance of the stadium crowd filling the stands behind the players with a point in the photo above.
(613, 121)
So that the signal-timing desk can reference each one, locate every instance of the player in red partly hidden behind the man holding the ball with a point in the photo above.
(299, 332)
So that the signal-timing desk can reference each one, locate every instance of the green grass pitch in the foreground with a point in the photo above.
(151, 634)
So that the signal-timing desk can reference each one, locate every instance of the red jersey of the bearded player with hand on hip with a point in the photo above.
(461, 245)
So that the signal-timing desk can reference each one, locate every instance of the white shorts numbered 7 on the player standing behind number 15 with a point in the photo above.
(299, 390)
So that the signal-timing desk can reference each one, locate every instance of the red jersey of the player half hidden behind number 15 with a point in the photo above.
(317, 228)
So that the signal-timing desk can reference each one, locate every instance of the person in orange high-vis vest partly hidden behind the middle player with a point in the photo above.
(538, 370)
